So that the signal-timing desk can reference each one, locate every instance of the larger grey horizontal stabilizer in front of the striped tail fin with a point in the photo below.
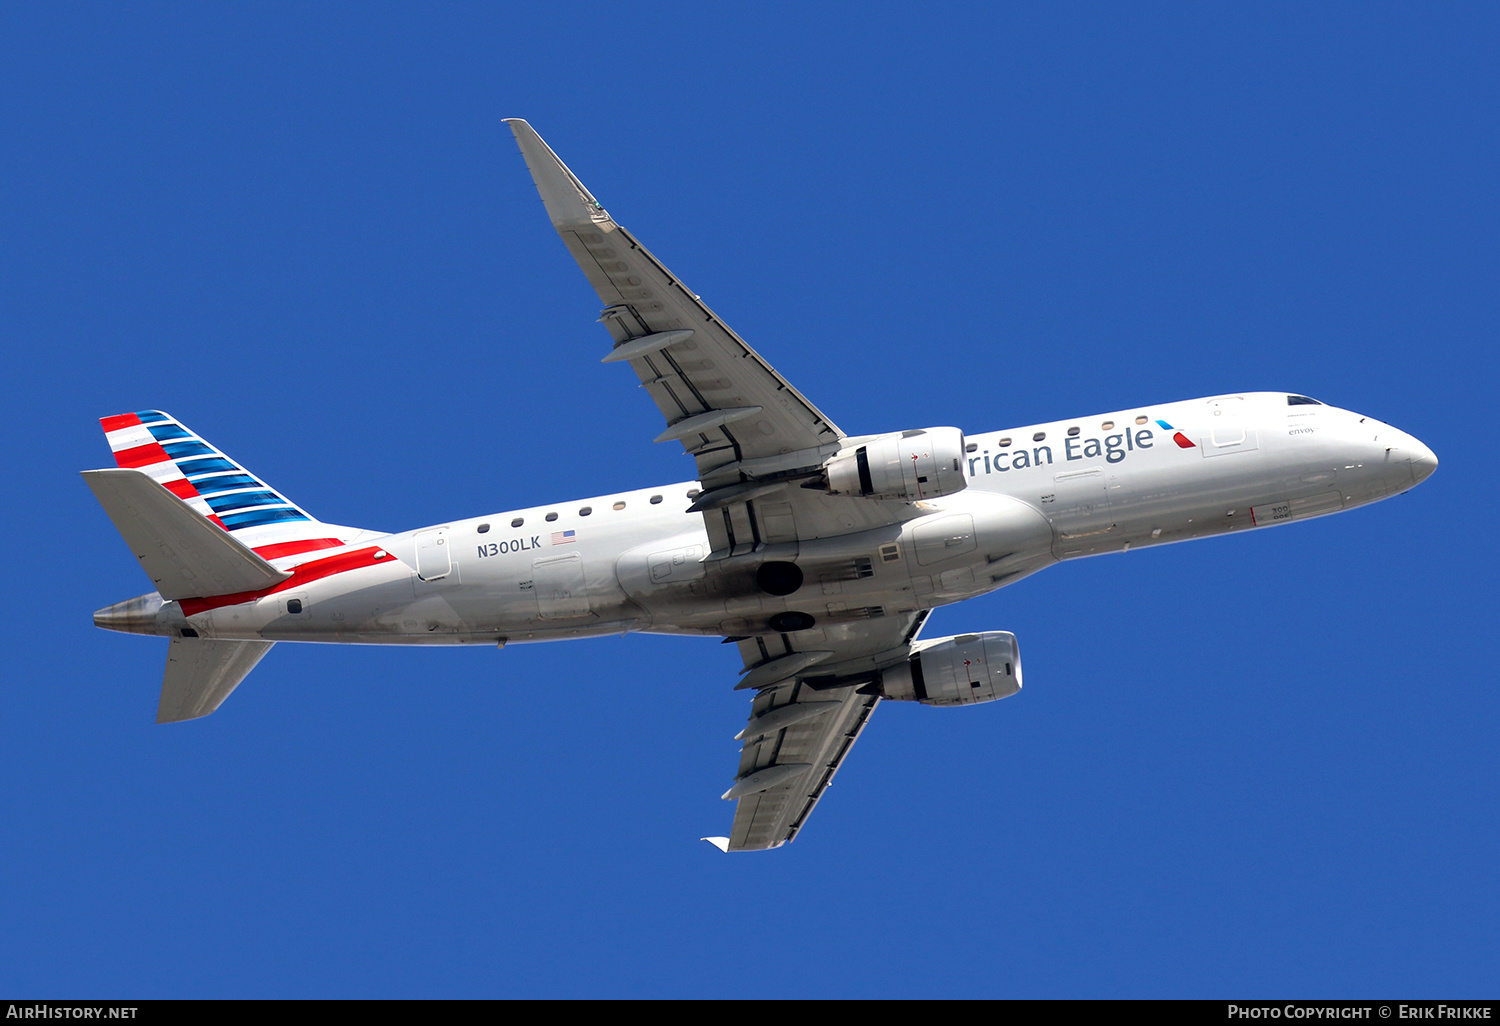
(182, 553)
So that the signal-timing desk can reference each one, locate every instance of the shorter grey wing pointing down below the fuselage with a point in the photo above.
(809, 713)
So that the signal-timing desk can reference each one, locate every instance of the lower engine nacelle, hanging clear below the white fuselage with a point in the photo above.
(958, 671)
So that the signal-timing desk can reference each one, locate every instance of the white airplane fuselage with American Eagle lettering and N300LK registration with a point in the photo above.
(638, 562)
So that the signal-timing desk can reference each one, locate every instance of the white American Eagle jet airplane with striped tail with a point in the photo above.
(818, 554)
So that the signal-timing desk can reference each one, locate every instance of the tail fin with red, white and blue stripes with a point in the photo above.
(217, 487)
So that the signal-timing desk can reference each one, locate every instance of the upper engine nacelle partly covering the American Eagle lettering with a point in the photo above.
(911, 466)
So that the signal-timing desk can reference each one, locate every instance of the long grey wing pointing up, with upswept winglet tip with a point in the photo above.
(754, 436)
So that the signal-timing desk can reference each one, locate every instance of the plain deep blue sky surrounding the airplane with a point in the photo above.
(1259, 766)
